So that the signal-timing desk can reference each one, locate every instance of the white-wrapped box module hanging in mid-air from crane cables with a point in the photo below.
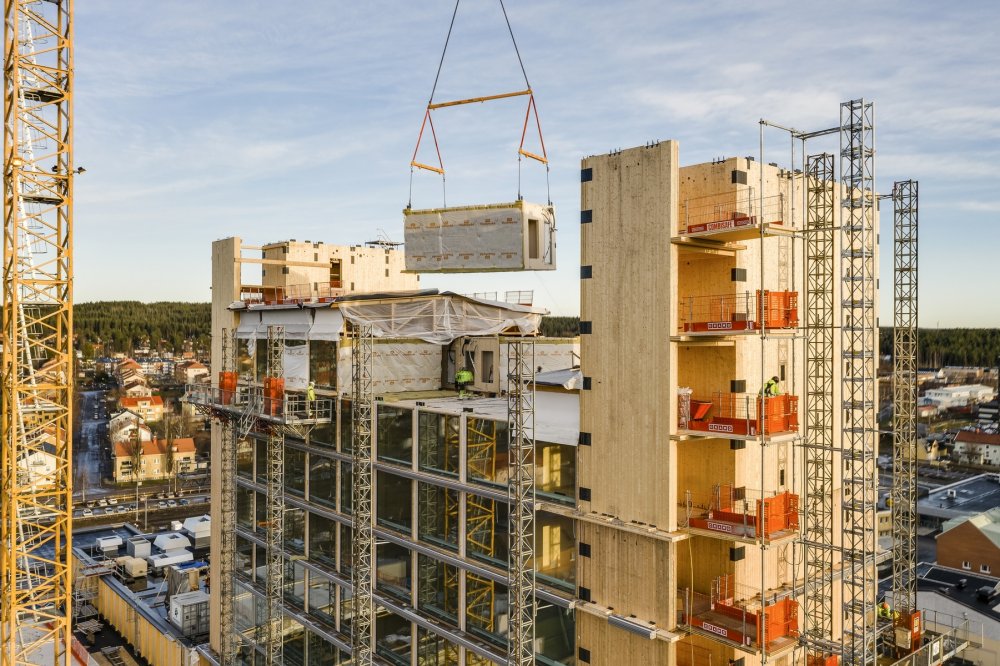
(496, 237)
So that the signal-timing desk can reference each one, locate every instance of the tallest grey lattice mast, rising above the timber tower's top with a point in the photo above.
(858, 349)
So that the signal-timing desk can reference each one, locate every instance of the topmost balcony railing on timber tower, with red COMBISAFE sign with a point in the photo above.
(726, 211)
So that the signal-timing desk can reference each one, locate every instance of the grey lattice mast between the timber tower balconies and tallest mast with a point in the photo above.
(818, 446)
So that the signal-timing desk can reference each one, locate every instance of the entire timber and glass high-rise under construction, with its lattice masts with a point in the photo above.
(690, 481)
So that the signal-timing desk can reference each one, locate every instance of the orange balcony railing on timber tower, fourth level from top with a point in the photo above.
(738, 511)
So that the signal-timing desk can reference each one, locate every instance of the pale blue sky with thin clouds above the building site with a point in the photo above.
(270, 120)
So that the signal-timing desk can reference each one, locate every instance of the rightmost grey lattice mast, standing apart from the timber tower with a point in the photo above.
(904, 396)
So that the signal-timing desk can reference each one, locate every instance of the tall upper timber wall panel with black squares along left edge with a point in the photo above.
(627, 404)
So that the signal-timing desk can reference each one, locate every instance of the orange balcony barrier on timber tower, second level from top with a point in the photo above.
(735, 313)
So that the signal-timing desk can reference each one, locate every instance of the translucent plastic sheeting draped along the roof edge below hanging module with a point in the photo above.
(441, 319)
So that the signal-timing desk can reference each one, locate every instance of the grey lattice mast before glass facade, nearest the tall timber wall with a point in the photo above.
(521, 491)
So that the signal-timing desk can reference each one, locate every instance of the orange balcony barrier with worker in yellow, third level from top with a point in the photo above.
(739, 414)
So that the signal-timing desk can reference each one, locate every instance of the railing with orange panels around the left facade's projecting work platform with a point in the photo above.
(268, 400)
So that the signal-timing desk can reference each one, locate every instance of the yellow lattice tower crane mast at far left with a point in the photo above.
(37, 369)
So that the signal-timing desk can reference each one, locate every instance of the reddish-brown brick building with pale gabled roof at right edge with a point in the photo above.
(971, 543)
